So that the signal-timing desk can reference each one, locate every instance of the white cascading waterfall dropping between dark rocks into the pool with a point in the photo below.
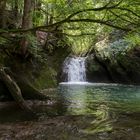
(74, 68)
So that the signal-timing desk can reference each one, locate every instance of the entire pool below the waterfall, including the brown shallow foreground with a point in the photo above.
(84, 111)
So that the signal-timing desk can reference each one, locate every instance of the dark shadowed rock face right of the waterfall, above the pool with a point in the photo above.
(123, 69)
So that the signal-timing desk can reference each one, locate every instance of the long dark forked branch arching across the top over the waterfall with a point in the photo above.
(69, 19)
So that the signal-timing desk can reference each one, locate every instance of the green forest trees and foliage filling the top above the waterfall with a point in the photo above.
(79, 24)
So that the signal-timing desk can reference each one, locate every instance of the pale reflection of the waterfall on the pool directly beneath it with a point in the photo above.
(75, 98)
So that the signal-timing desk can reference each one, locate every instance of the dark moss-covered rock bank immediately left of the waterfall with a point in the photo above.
(39, 72)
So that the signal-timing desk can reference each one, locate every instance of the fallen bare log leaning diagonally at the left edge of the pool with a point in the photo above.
(14, 90)
